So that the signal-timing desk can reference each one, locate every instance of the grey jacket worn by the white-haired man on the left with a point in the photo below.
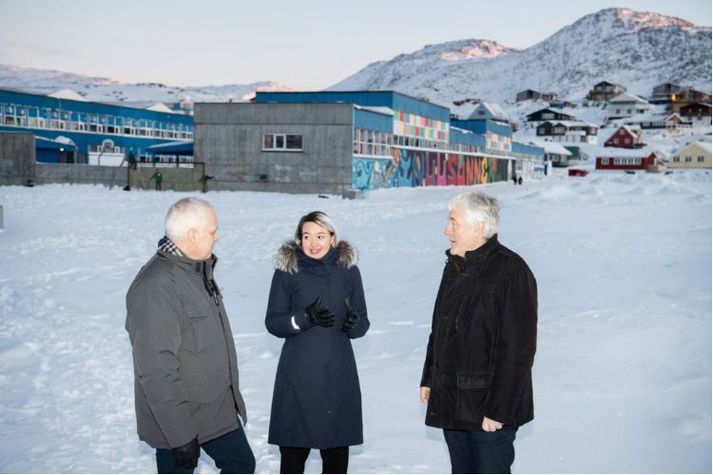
(185, 366)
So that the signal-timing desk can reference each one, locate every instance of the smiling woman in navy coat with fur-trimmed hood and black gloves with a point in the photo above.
(317, 305)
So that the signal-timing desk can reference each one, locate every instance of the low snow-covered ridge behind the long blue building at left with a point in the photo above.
(108, 90)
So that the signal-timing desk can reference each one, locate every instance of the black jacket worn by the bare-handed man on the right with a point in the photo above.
(482, 343)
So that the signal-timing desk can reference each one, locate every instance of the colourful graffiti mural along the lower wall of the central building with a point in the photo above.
(410, 168)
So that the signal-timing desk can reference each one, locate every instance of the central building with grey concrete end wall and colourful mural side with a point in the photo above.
(345, 143)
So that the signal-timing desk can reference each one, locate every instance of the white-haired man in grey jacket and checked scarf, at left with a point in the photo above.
(185, 368)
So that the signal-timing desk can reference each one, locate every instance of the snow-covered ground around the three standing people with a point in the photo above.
(622, 373)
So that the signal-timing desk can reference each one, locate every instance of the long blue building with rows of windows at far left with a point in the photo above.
(77, 131)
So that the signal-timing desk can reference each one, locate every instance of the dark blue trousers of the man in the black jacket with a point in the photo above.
(481, 452)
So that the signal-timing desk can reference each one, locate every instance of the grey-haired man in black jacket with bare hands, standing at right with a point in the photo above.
(477, 378)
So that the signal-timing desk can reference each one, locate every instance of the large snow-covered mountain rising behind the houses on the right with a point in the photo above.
(636, 49)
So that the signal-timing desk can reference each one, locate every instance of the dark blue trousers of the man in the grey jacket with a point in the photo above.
(231, 454)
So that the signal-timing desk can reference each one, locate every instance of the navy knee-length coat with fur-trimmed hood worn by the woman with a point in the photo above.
(317, 400)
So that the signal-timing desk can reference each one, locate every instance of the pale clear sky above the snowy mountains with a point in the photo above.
(308, 44)
